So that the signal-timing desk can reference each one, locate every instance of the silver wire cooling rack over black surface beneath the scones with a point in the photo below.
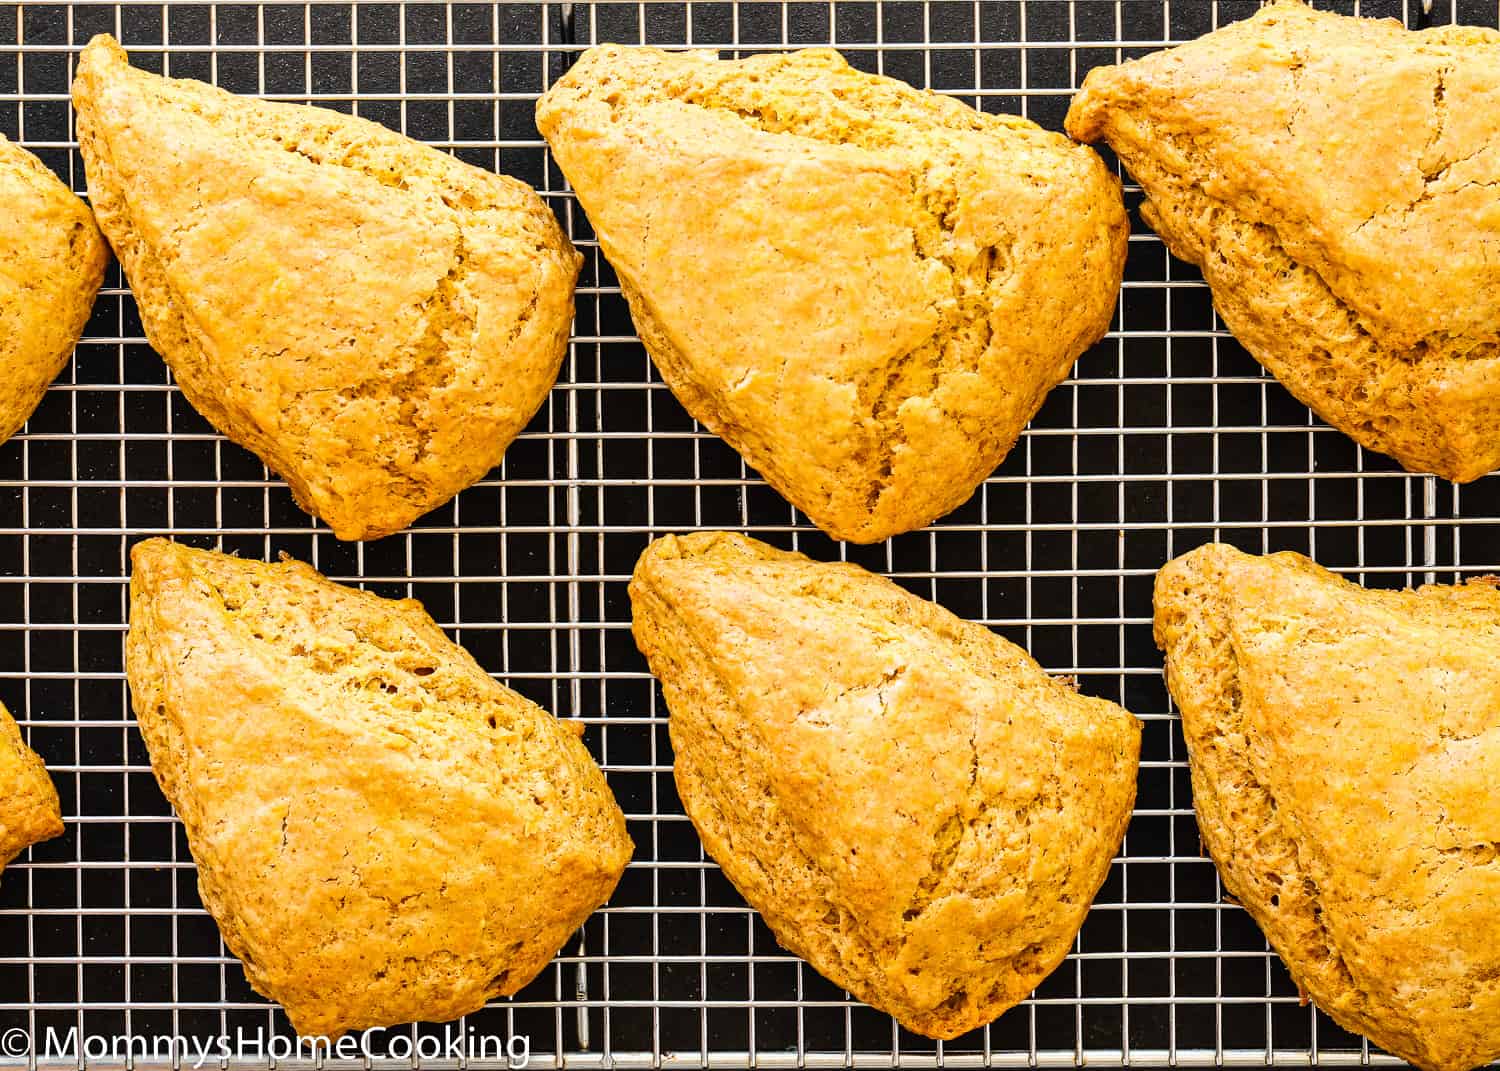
(1166, 437)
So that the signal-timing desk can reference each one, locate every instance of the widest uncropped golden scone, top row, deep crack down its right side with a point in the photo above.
(866, 290)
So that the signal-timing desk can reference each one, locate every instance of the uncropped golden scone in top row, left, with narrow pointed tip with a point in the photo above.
(374, 319)
